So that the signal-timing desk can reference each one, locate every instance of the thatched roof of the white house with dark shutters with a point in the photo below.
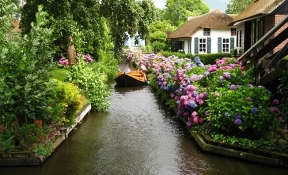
(214, 19)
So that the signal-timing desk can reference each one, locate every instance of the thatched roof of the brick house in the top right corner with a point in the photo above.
(258, 8)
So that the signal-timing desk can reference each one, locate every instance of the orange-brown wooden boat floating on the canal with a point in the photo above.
(130, 79)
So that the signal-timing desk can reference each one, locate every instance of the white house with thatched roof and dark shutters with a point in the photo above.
(207, 33)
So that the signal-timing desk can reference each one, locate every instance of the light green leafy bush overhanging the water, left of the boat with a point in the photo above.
(91, 81)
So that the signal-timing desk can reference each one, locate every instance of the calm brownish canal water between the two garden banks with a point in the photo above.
(137, 136)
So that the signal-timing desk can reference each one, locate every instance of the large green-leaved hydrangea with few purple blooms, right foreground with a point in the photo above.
(225, 107)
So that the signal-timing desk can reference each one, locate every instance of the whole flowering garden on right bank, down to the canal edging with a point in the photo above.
(220, 99)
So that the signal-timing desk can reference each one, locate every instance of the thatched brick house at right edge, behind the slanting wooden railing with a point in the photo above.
(256, 20)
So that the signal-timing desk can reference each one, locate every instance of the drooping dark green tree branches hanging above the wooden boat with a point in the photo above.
(127, 18)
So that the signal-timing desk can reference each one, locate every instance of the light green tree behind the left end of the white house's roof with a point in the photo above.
(177, 11)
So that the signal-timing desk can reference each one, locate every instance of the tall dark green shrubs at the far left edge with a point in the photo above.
(26, 92)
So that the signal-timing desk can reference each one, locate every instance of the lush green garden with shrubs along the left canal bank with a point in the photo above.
(40, 93)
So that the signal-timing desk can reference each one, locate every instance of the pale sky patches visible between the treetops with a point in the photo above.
(213, 4)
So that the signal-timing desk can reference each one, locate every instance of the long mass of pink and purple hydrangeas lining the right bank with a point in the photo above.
(221, 95)
